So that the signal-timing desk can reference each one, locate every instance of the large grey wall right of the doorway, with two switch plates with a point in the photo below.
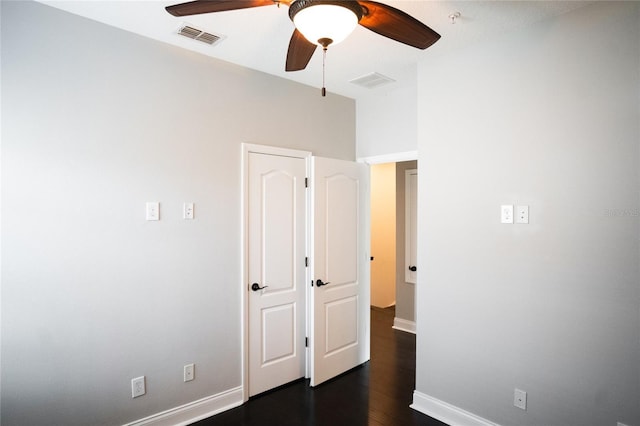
(548, 117)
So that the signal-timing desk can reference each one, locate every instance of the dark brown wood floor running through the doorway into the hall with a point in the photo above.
(376, 393)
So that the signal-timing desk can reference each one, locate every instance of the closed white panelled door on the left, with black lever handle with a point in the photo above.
(276, 250)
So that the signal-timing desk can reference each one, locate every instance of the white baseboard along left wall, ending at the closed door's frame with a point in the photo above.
(194, 411)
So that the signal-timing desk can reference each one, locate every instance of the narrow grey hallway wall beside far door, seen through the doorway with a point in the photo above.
(405, 292)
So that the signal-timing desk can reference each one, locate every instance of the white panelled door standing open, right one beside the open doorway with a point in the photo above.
(340, 264)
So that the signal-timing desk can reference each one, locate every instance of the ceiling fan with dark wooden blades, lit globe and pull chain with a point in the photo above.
(326, 22)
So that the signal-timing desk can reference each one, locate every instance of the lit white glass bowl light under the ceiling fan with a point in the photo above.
(325, 22)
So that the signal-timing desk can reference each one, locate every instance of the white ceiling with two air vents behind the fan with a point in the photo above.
(258, 38)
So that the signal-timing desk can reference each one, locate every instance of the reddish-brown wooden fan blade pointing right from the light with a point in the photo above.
(396, 25)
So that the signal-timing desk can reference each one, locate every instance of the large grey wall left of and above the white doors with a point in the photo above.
(95, 122)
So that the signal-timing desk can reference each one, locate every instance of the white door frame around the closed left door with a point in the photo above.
(248, 148)
